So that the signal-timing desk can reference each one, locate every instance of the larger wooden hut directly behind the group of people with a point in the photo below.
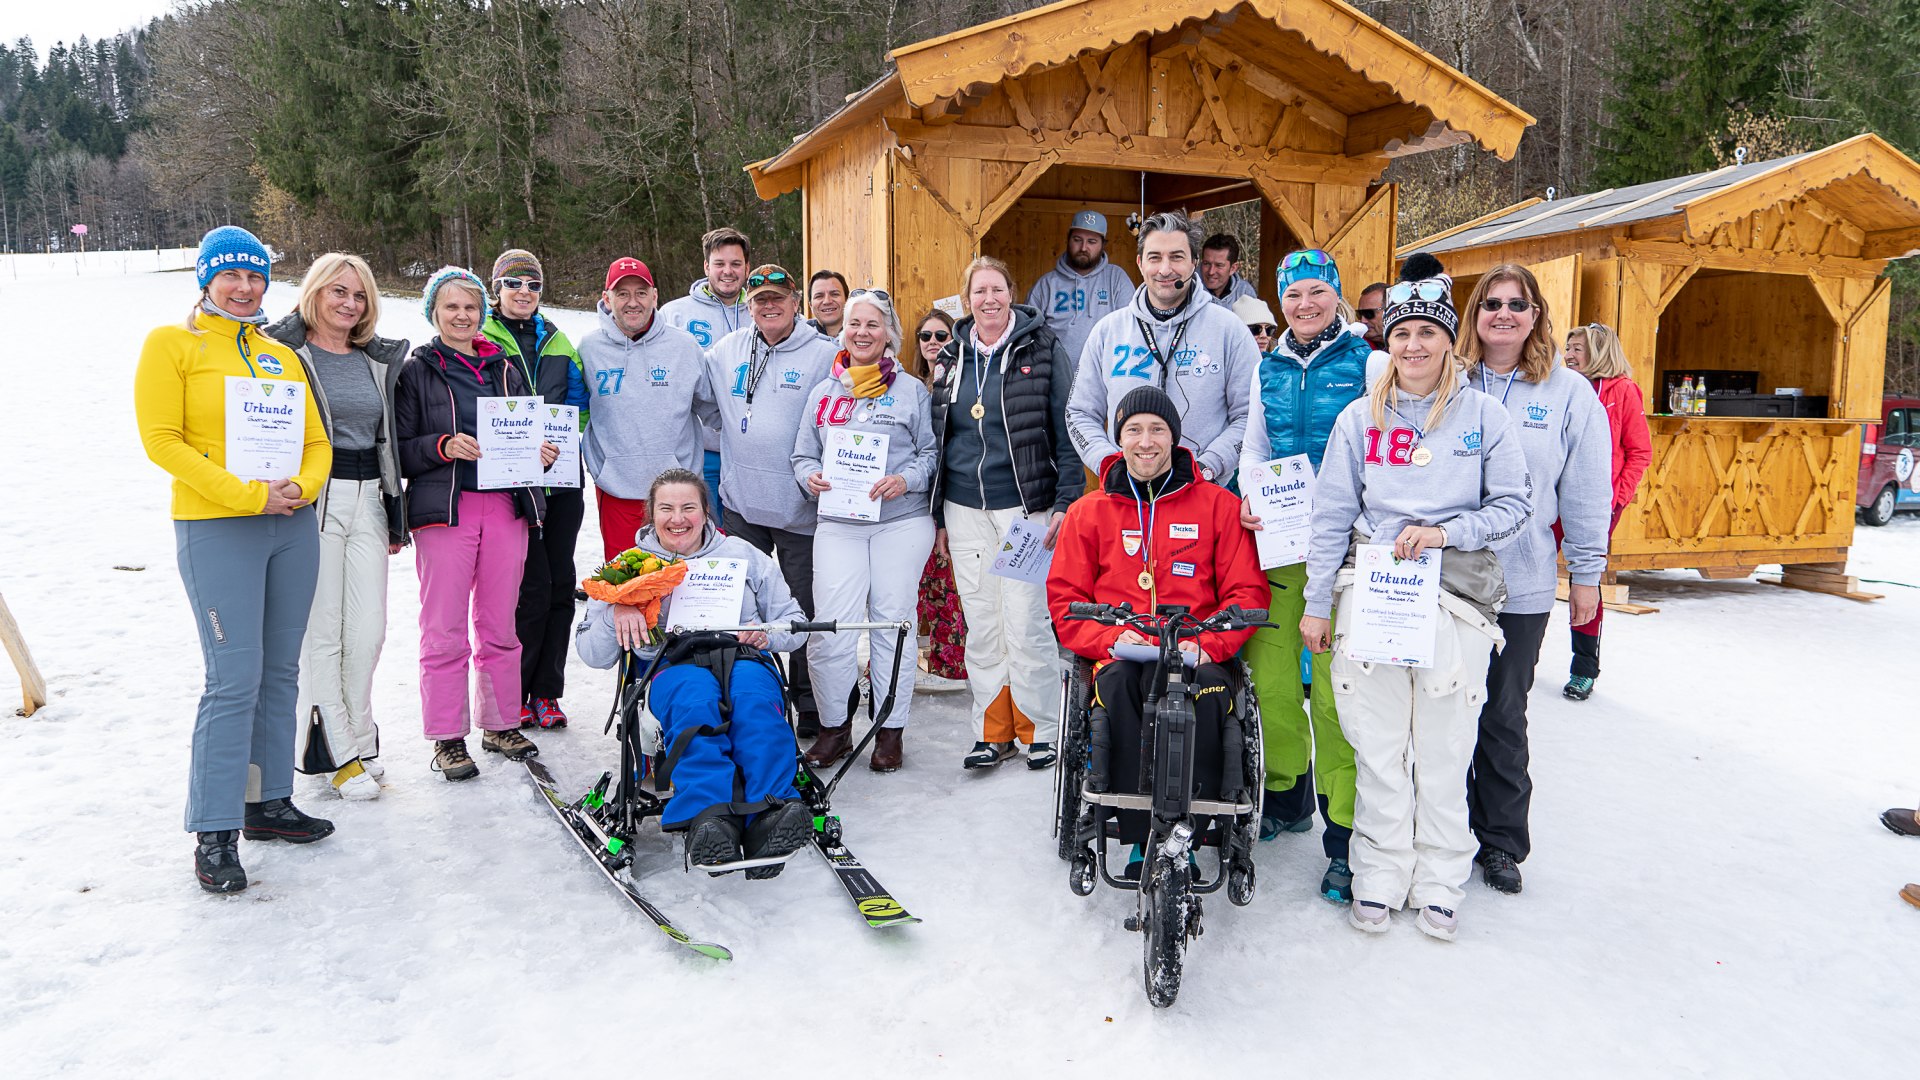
(990, 139)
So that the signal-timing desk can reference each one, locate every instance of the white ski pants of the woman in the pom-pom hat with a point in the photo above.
(1412, 733)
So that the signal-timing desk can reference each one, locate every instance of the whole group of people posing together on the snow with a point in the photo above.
(1109, 420)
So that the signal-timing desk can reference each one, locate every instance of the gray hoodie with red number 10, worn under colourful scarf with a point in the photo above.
(903, 414)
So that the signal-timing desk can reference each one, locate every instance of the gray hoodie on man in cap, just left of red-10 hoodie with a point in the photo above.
(757, 453)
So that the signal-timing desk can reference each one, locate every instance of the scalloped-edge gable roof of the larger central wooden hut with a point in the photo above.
(1324, 57)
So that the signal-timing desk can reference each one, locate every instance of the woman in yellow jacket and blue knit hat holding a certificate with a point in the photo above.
(247, 541)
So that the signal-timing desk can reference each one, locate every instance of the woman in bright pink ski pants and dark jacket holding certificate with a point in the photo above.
(473, 458)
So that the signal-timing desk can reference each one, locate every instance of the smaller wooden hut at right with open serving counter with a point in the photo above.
(1767, 268)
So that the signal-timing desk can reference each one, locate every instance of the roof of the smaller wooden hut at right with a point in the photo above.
(1865, 182)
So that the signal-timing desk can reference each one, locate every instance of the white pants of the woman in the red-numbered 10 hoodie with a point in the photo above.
(867, 574)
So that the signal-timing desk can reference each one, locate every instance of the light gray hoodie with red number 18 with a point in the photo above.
(1476, 485)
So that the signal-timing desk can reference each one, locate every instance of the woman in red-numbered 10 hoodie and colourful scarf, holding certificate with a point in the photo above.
(867, 454)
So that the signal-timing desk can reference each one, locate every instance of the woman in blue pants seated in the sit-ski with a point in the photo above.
(731, 754)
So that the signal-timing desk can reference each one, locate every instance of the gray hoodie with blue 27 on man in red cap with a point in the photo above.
(650, 399)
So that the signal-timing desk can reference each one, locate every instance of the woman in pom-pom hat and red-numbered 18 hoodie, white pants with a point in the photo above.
(1422, 466)
